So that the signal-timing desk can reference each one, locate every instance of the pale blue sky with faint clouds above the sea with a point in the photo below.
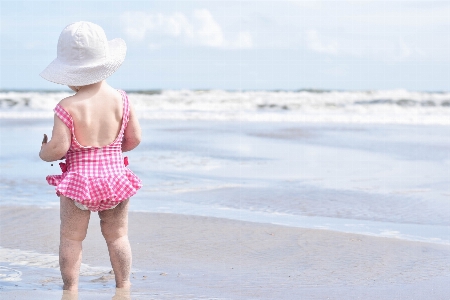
(241, 45)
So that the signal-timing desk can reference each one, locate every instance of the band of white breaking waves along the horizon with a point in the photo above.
(382, 106)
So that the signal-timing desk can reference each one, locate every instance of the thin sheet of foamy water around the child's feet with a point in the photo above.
(25, 271)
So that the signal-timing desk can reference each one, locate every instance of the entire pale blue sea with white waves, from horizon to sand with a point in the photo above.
(375, 163)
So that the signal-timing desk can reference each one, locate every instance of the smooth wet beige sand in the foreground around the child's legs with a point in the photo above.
(211, 257)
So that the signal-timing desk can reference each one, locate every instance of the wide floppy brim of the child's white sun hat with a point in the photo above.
(61, 73)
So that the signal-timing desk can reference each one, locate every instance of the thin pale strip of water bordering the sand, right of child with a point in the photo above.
(428, 233)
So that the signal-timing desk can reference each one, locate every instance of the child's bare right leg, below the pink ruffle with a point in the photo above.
(114, 225)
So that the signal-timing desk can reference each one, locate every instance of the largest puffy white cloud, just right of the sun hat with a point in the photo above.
(200, 29)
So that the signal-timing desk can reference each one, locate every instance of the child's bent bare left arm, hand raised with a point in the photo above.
(59, 144)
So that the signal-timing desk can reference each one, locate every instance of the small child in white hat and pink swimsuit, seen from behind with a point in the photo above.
(91, 130)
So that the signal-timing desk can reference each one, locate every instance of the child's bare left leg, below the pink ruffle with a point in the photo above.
(74, 224)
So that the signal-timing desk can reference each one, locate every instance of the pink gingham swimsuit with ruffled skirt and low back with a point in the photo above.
(95, 177)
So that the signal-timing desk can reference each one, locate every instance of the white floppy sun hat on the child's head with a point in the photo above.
(84, 55)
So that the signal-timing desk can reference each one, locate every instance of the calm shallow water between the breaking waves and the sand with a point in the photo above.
(386, 180)
